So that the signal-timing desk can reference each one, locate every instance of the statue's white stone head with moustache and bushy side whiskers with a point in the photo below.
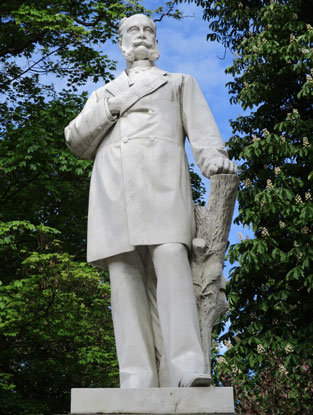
(137, 39)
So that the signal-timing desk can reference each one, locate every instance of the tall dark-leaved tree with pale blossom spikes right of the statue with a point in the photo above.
(271, 283)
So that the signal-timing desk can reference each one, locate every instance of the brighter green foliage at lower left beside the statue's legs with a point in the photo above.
(56, 330)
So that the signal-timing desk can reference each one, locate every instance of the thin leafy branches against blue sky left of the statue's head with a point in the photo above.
(63, 38)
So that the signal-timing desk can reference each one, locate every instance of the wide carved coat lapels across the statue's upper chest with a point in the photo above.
(120, 85)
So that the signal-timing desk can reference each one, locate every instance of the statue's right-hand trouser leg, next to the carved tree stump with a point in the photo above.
(177, 310)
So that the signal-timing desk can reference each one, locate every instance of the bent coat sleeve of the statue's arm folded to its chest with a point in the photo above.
(84, 134)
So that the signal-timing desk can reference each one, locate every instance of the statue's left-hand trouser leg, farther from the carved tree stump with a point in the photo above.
(132, 322)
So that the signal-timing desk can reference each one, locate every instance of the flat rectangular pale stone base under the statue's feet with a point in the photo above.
(204, 401)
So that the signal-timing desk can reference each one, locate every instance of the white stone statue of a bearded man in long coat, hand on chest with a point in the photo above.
(141, 203)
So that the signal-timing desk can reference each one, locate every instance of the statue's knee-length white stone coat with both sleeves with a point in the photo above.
(140, 191)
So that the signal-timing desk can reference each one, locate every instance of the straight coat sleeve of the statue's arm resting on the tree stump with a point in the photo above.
(200, 127)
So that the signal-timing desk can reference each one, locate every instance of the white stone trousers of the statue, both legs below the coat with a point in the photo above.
(177, 311)
